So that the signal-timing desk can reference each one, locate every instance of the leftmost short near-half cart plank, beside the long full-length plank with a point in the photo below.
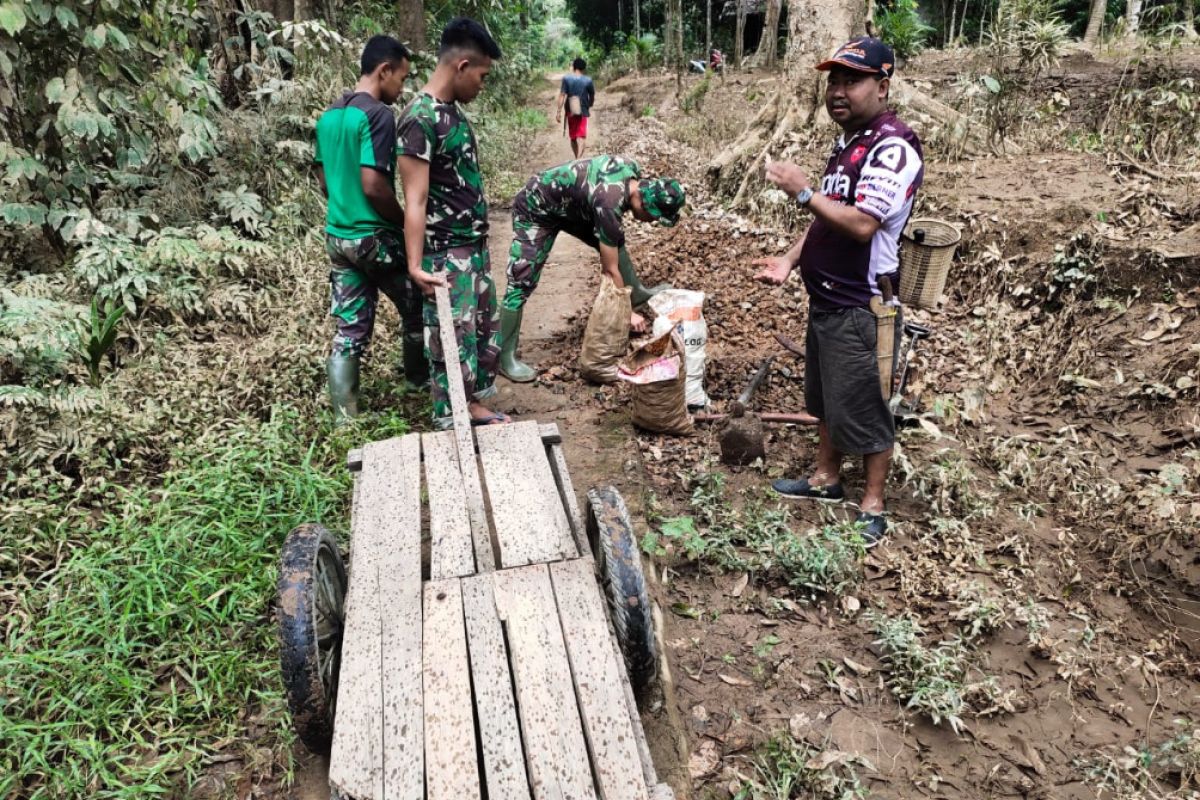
(452, 769)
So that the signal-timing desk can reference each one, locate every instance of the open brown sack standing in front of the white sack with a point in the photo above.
(659, 386)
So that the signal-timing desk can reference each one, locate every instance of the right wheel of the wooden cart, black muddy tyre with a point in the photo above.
(615, 546)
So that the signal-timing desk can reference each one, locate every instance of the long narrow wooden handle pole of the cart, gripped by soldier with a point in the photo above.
(485, 558)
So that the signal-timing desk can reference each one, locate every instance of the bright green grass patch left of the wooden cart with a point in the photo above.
(153, 645)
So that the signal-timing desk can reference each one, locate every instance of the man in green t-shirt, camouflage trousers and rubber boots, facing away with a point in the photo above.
(364, 222)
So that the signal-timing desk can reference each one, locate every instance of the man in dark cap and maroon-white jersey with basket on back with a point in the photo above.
(860, 208)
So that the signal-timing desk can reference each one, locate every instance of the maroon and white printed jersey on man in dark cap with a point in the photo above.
(878, 171)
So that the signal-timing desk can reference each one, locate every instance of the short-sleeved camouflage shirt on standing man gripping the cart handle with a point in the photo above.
(439, 134)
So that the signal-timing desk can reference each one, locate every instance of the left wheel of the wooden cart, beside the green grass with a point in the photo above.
(311, 604)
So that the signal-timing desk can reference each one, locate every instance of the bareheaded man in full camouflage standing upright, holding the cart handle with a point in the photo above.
(446, 218)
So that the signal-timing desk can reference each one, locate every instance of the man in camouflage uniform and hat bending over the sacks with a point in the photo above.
(587, 200)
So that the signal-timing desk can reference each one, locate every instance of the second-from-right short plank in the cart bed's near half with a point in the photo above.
(556, 753)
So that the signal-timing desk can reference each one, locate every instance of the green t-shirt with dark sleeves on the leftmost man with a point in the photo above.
(357, 131)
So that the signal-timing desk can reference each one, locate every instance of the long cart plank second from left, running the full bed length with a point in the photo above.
(398, 525)
